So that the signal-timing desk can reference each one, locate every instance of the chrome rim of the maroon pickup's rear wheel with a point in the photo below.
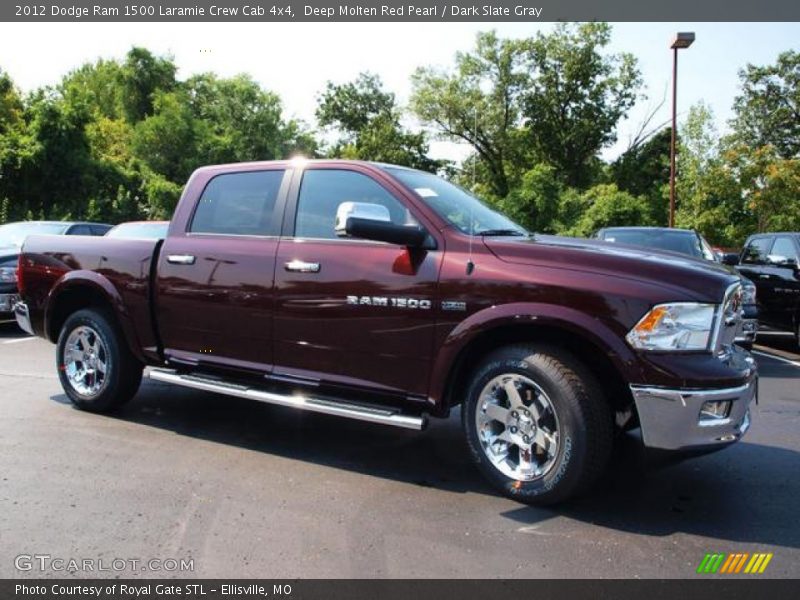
(85, 361)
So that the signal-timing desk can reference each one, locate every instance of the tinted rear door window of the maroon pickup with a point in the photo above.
(238, 204)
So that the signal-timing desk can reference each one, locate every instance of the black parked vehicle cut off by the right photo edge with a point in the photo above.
(771, 261)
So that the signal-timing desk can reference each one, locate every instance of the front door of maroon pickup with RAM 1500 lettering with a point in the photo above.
(349, 311)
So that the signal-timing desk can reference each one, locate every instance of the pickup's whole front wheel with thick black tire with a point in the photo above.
(582, 418)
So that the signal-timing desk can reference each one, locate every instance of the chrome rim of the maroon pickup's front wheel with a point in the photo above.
(517, 427)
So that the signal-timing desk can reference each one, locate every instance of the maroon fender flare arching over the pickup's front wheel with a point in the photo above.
(594, 330)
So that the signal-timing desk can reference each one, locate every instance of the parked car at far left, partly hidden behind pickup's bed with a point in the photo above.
(12, 236)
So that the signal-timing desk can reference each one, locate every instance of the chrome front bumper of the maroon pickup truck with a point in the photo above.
(671, 420)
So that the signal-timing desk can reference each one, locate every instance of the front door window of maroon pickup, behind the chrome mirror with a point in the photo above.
(323, 190)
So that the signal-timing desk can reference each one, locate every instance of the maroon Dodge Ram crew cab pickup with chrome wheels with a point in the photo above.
(389, 295)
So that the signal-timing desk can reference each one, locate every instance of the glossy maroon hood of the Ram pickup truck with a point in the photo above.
(705, 281)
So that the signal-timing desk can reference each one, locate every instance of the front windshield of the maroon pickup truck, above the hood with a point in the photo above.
(456, 205)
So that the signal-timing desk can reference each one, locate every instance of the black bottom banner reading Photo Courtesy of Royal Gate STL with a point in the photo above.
(216, 589)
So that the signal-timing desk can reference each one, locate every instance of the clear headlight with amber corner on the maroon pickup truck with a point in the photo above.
(677, 326)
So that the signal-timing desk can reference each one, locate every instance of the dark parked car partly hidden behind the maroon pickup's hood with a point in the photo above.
(689, 243)
